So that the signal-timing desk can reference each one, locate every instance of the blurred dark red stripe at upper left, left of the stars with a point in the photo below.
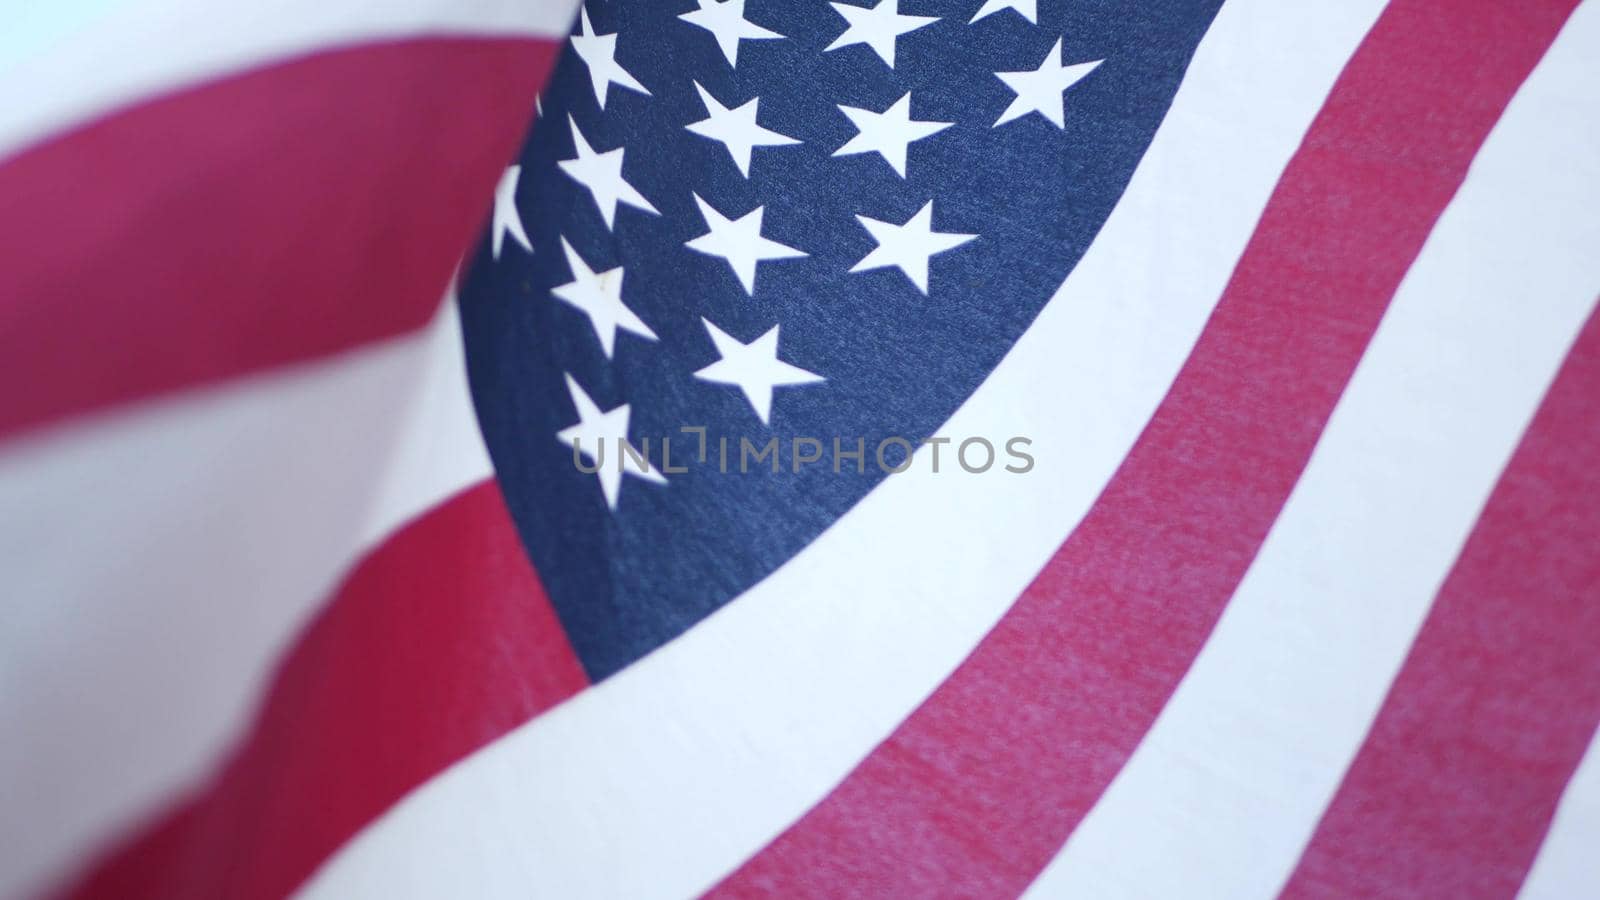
(265, 219)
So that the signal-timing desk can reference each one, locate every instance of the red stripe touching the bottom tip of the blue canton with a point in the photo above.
(439, 643)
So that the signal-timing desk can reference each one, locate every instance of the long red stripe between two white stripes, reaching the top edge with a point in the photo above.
(985, 782)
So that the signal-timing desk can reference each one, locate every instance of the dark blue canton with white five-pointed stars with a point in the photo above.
(780, 219)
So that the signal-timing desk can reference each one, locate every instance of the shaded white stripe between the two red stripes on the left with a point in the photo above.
(159, 561)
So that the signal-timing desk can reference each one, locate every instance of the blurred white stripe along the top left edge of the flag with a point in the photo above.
(137, 49)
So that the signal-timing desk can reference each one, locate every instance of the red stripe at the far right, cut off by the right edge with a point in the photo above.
(1460, 776)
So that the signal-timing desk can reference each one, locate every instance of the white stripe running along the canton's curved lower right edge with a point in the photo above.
(668, 776)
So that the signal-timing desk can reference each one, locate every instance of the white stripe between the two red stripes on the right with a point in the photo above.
(1226, 789)
